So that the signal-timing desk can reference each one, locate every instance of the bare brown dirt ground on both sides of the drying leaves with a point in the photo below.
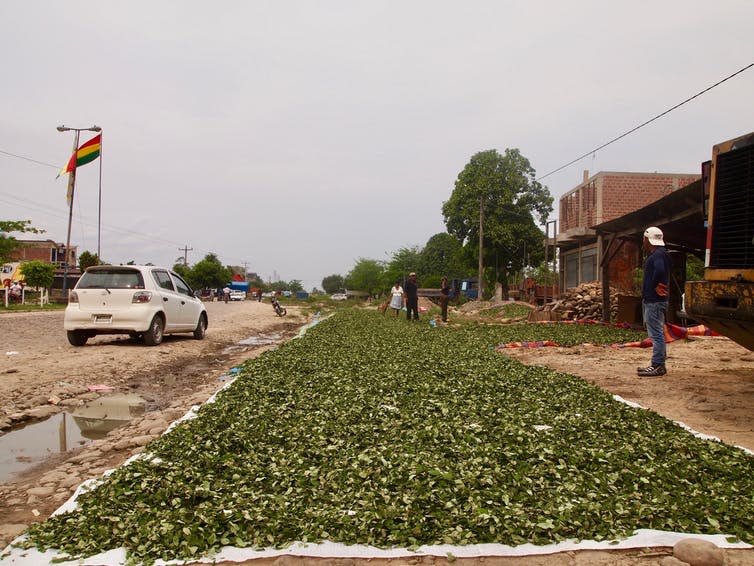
(709, 387)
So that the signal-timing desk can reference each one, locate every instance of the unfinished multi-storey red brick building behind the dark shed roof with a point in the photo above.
(603, 197)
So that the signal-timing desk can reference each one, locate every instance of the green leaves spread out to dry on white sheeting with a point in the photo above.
(378, 431)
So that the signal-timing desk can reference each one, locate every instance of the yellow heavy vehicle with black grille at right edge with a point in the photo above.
(724, 301)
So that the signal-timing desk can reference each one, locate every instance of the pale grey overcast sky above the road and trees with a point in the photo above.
(297, 137)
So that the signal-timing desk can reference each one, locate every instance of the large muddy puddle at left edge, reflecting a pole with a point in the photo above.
(28, 446)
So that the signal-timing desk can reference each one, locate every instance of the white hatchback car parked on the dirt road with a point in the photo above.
(143, 301)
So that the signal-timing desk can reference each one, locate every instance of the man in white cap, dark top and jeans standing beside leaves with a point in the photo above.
(654, 294)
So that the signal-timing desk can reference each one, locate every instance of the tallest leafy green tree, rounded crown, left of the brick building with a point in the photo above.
(504, 187)
